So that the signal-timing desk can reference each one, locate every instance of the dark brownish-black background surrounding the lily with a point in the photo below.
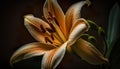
(14, 34)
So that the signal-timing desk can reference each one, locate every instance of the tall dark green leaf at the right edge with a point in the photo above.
(113, 27)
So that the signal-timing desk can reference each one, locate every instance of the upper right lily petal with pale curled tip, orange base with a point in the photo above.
(73, 13)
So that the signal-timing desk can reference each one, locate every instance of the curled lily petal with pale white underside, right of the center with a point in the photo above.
(77, 29)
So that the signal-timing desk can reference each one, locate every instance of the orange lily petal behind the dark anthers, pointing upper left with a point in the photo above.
(38, 29)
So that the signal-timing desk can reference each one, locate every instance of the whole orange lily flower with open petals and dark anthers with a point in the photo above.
(57, 33)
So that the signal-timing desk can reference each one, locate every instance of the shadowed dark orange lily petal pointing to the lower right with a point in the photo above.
(88, 52)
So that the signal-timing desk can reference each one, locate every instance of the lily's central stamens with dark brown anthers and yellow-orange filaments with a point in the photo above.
(55, 30)
